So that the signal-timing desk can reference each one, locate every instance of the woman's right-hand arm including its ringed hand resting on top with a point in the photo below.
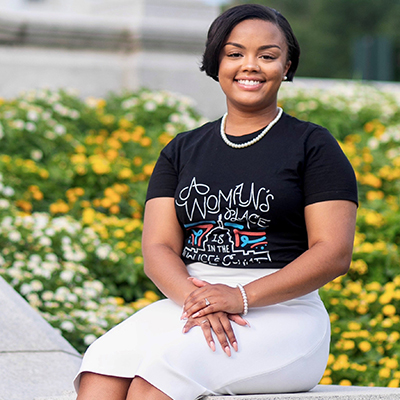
(330, 227)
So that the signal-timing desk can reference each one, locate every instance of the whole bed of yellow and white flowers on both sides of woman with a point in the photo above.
(73, 176)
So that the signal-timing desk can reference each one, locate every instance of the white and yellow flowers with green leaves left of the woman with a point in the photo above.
(73, 179)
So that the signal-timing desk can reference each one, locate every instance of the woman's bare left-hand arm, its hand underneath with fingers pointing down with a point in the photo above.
(162, 243)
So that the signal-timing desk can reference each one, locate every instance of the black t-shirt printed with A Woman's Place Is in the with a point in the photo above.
(244, 207)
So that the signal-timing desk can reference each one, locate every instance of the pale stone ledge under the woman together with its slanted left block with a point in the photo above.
(36, 363)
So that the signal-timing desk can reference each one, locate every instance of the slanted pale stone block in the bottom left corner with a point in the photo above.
(35, 360)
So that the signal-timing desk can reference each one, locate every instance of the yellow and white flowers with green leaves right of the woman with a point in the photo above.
(363, 305)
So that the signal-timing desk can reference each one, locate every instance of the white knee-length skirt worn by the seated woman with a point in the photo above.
(285, 349)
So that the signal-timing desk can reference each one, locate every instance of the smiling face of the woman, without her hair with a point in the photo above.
(253, 63)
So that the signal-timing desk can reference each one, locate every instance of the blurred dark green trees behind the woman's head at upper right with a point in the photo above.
(327, 30)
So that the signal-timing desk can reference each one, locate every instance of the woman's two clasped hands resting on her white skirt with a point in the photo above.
(213, 307)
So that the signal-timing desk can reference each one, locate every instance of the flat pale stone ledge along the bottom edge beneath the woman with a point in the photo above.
(321, 392)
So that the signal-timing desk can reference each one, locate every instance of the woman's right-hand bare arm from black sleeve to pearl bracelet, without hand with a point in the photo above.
(330, 227)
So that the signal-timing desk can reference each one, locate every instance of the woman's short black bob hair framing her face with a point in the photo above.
(222, 26)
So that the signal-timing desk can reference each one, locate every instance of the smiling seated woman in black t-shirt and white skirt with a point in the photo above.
(250, 214)
